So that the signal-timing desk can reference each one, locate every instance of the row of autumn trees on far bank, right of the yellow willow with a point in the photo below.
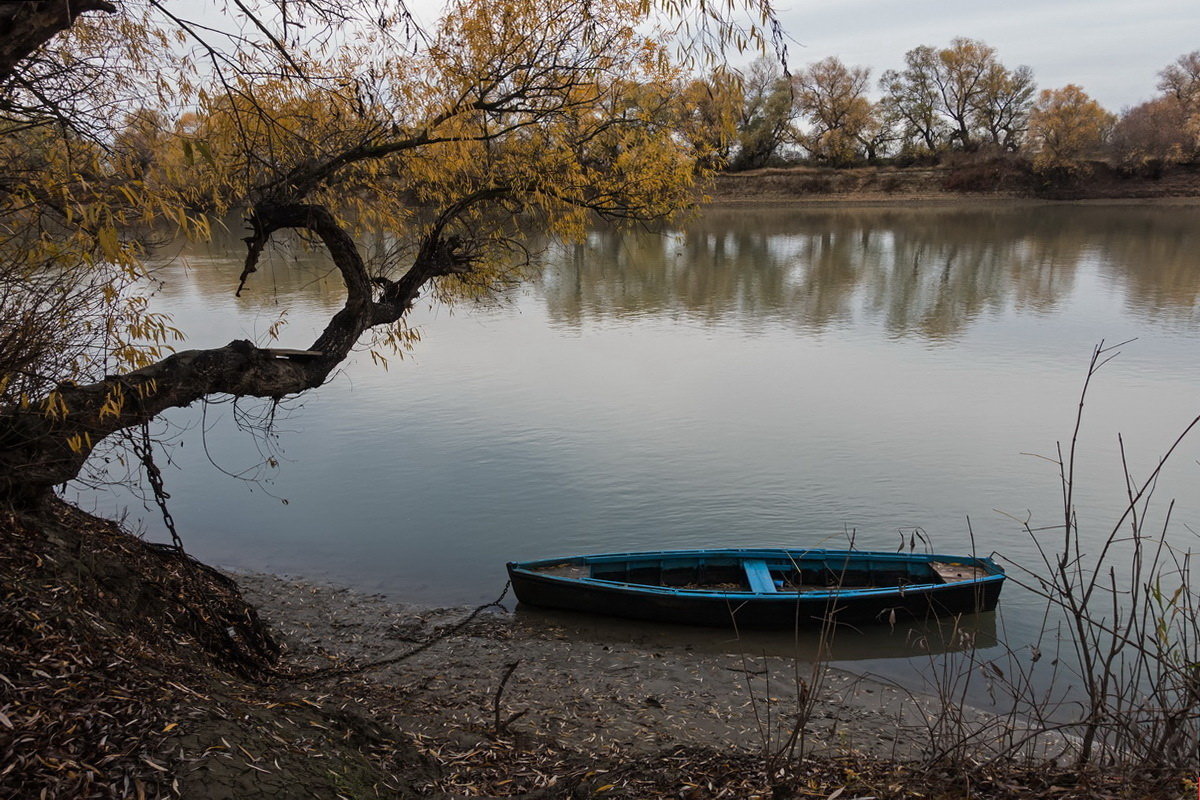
(958, 99)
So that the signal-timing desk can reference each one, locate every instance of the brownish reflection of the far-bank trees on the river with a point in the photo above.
(927, 274)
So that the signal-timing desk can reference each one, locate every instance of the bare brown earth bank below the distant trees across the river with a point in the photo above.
(971, 182)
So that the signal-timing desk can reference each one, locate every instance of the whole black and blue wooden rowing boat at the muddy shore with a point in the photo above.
(763, 588)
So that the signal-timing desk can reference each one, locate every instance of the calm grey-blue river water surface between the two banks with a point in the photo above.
(755, 377)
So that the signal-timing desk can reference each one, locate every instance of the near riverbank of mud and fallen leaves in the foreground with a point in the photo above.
(130, 671)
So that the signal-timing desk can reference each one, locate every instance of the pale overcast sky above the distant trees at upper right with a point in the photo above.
(1113, 49)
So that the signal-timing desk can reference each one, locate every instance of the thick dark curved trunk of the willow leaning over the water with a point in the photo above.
(47, 444)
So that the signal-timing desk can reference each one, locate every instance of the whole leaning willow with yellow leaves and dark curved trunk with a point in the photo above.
(121, 123)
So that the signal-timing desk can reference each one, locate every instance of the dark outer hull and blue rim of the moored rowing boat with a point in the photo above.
(769, 609)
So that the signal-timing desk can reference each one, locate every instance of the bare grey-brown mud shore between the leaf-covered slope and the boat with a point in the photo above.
(587, 694)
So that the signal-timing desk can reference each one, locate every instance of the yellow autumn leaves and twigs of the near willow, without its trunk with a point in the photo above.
(511, 116)
